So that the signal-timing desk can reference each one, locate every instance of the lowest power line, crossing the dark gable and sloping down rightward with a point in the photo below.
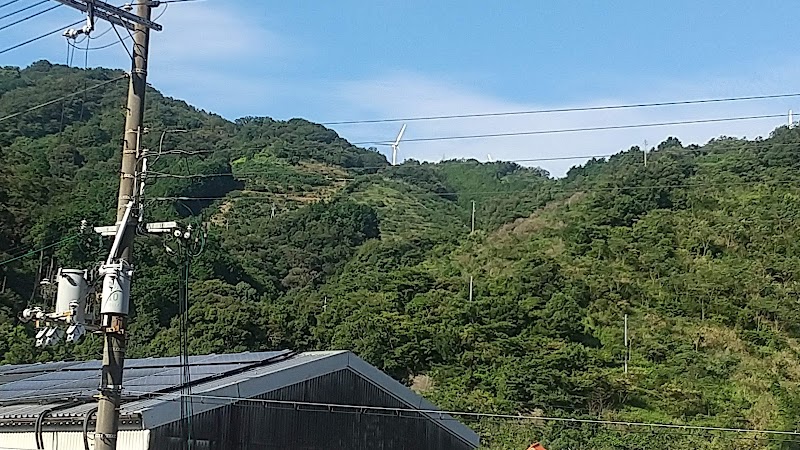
(441, 413)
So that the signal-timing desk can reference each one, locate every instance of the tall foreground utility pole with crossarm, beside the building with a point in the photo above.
(118, 270)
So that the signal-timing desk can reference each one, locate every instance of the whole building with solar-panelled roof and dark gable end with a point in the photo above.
(286, 400)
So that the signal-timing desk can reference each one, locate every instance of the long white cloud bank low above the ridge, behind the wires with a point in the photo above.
(412, 95)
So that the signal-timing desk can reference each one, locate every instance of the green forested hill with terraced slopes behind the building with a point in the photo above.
(314, 244)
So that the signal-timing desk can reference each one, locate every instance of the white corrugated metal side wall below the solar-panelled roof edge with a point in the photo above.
(72, 440)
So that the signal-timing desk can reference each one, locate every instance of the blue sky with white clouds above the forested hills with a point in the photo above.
(339, 60)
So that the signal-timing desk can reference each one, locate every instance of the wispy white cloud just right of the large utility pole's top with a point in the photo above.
(213, 56)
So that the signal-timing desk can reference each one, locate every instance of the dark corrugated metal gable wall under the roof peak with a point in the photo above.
(247, 426)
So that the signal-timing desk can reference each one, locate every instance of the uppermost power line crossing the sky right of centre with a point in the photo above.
(561, 110)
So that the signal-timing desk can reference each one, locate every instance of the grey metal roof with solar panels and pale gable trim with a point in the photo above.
(27, 390)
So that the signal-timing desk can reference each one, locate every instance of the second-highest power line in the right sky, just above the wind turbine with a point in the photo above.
(576, 130)
